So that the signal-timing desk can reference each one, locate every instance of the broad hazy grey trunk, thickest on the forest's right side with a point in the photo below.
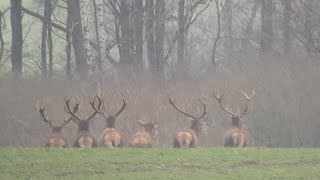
(267, 27)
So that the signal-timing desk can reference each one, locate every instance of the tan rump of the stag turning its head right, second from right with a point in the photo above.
(185, 139)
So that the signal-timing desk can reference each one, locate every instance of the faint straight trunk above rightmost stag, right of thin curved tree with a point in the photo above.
(228, 46)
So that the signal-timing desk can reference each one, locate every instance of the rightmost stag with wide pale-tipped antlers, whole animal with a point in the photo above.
(236, 136)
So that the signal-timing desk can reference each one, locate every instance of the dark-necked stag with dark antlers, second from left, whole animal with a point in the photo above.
(84, 139)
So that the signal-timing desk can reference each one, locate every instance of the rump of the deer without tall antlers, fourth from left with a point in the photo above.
(141, 140)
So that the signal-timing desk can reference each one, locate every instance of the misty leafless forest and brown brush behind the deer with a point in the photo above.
(152, 50)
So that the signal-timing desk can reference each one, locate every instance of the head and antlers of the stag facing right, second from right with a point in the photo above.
(197, 124)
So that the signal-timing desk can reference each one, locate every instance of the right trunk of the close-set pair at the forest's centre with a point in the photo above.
(159, 40)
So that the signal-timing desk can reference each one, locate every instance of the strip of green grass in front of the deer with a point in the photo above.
(218, 163)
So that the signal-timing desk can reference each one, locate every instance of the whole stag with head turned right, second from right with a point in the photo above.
(189, 137)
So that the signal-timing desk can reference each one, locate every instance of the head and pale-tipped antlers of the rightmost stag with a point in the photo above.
(236, 118)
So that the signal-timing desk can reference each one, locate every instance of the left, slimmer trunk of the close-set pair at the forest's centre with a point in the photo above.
(150, 33)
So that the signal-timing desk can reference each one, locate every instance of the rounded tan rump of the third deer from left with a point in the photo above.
(110, 138)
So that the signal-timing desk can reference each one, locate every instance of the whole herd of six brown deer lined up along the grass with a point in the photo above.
(235, 136)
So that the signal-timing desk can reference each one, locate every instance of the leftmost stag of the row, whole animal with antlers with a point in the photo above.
(57, 139)
